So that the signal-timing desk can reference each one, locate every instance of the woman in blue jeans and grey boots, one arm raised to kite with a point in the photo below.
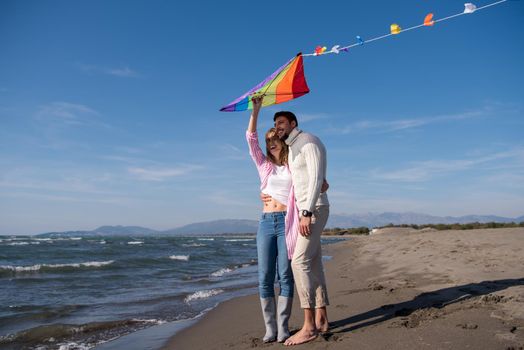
(279, 219)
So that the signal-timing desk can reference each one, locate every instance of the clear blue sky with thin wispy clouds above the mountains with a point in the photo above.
(109, 109)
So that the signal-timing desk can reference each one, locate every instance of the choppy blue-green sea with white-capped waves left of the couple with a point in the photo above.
(86, 292)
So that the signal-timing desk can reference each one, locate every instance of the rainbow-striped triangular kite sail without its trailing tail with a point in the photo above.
(286, 83)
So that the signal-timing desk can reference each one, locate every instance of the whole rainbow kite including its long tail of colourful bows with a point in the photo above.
(289, 82)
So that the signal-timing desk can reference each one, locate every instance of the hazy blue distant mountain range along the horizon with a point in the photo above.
(250, 226)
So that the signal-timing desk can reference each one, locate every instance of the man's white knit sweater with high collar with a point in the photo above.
(308, 166)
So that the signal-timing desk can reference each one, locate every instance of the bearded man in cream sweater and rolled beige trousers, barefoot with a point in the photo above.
(307, 162)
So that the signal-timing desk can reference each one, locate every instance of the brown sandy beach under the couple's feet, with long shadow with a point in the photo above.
(399, 289)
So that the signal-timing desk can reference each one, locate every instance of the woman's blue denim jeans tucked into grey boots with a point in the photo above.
(272, 255)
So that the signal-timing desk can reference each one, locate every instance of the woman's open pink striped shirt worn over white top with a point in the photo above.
(265, 169)
